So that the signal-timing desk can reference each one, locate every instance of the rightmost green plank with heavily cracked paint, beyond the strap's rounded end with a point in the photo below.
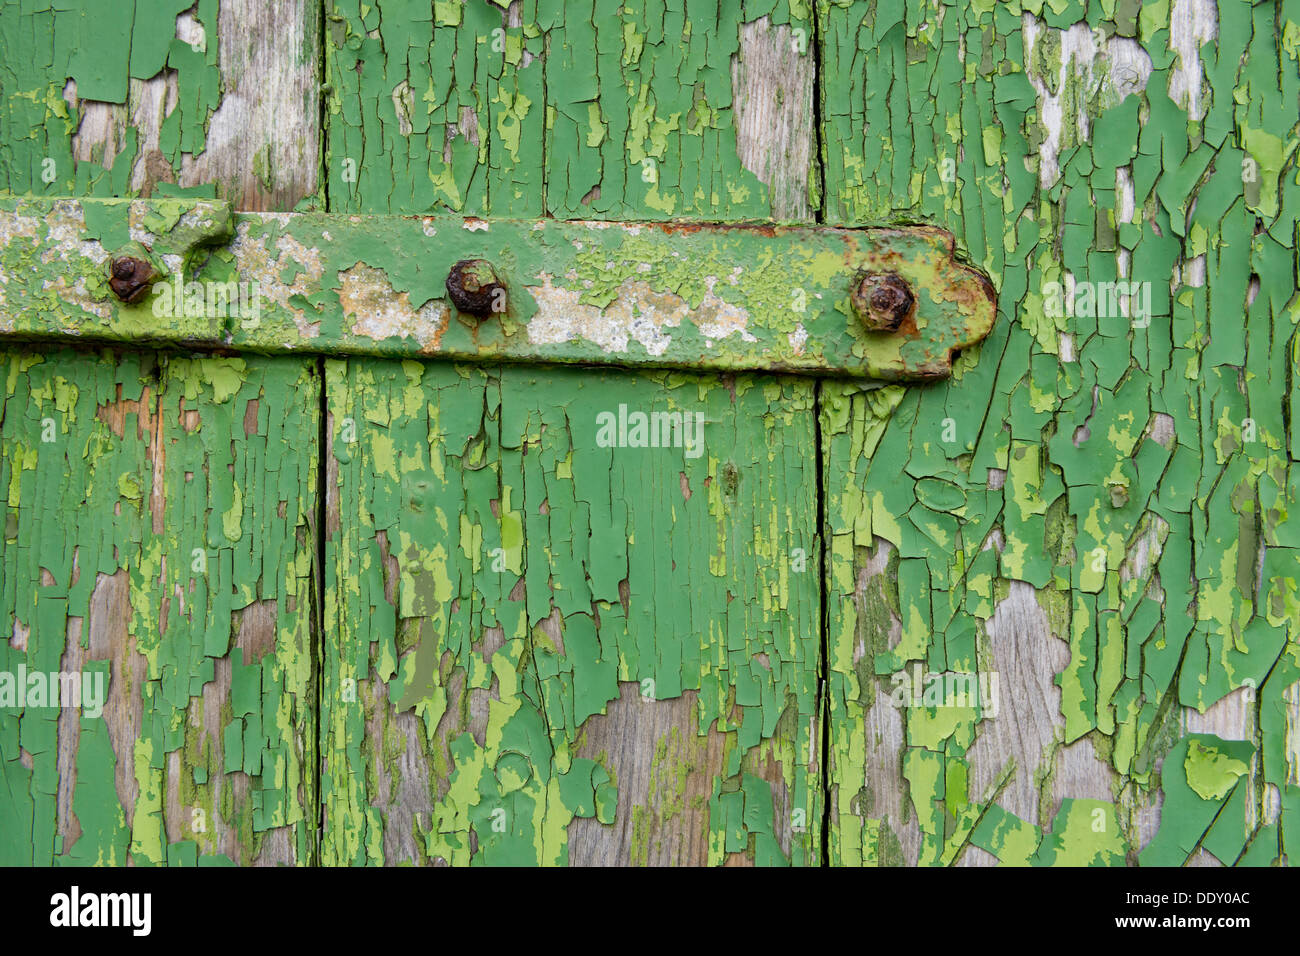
(1095, 512)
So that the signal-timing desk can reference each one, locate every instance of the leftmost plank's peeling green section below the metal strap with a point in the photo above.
(159, 540)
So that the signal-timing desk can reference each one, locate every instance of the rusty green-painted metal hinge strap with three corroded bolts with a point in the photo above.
(886, 304)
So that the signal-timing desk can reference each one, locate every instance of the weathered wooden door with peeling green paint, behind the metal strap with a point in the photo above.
(384, 611)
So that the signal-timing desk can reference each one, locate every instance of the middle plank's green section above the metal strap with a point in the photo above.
(596, 110)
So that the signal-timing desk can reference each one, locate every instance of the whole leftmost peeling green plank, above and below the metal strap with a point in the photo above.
(164, 539)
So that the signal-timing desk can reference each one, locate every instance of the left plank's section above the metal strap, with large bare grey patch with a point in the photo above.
(148, 98)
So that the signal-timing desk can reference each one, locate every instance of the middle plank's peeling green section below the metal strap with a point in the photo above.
(554, 650)
